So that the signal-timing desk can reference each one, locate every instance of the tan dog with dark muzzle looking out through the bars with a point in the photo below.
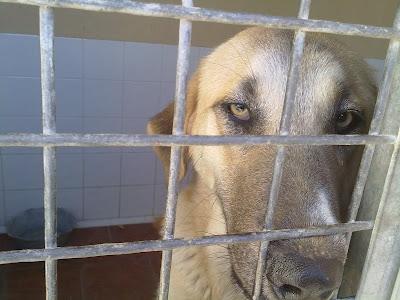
(239, 89)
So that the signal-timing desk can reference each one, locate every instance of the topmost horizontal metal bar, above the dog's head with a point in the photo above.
(209, 15)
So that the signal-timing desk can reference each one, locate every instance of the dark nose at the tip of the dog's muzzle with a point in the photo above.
(302, 278)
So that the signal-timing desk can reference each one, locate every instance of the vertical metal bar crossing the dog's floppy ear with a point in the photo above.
(185, 34)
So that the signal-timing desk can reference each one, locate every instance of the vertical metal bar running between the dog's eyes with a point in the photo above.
(291, 85)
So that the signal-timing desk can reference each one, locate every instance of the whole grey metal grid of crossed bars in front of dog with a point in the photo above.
(49, 140)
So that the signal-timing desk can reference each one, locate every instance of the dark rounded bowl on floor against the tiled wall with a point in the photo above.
(27, 228)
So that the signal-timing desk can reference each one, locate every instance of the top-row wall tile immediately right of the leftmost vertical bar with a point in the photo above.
(68, 57)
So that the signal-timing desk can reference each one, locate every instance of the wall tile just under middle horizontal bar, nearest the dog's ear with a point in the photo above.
(138, 168)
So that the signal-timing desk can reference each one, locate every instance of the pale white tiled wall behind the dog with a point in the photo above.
(102, 87)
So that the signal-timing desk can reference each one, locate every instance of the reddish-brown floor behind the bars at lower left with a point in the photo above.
(111, 277)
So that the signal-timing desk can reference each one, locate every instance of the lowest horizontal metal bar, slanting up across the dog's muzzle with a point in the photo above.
(33, 255)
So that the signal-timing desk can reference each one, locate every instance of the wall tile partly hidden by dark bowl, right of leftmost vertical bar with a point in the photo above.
(72, 201)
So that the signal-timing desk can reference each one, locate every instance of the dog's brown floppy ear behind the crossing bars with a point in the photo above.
(162, 123)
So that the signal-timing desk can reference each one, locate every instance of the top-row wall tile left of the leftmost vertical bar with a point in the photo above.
(19, 55)
